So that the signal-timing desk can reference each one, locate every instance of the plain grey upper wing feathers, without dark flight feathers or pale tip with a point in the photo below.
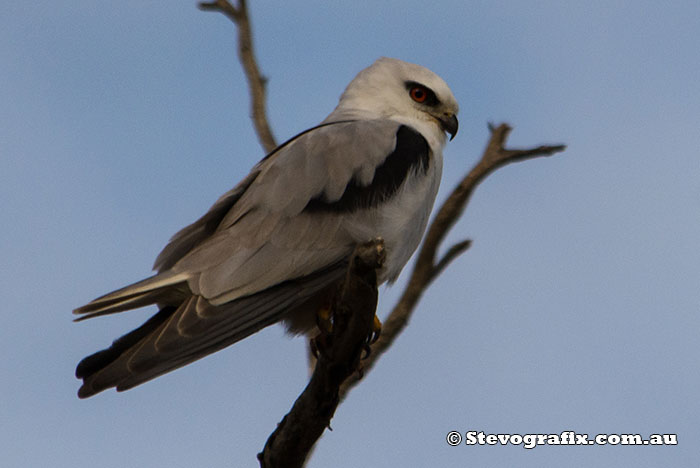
(268, 235)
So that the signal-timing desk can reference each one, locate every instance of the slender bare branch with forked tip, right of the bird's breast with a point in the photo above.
(427, 268)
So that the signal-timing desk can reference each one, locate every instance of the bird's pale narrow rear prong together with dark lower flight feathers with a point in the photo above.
(182, 332)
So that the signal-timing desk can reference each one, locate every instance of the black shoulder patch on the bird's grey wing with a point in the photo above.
(412, 153)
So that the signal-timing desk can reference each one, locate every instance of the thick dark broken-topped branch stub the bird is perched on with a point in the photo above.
(338, 357)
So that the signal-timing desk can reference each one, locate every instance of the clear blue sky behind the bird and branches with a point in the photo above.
(577, 308)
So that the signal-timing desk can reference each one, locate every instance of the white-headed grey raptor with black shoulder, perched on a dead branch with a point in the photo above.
(273, 248)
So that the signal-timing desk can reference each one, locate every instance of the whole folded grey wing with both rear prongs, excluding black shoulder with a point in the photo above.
(257, 254)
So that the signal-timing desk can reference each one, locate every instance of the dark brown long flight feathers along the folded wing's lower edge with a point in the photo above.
(194, 330)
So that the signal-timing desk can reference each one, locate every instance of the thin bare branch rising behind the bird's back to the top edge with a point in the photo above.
(246, 55)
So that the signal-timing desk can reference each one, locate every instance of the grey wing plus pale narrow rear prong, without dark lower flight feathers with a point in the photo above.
(265, 229)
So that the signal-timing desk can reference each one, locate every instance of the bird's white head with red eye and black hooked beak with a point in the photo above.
(391, 88)
